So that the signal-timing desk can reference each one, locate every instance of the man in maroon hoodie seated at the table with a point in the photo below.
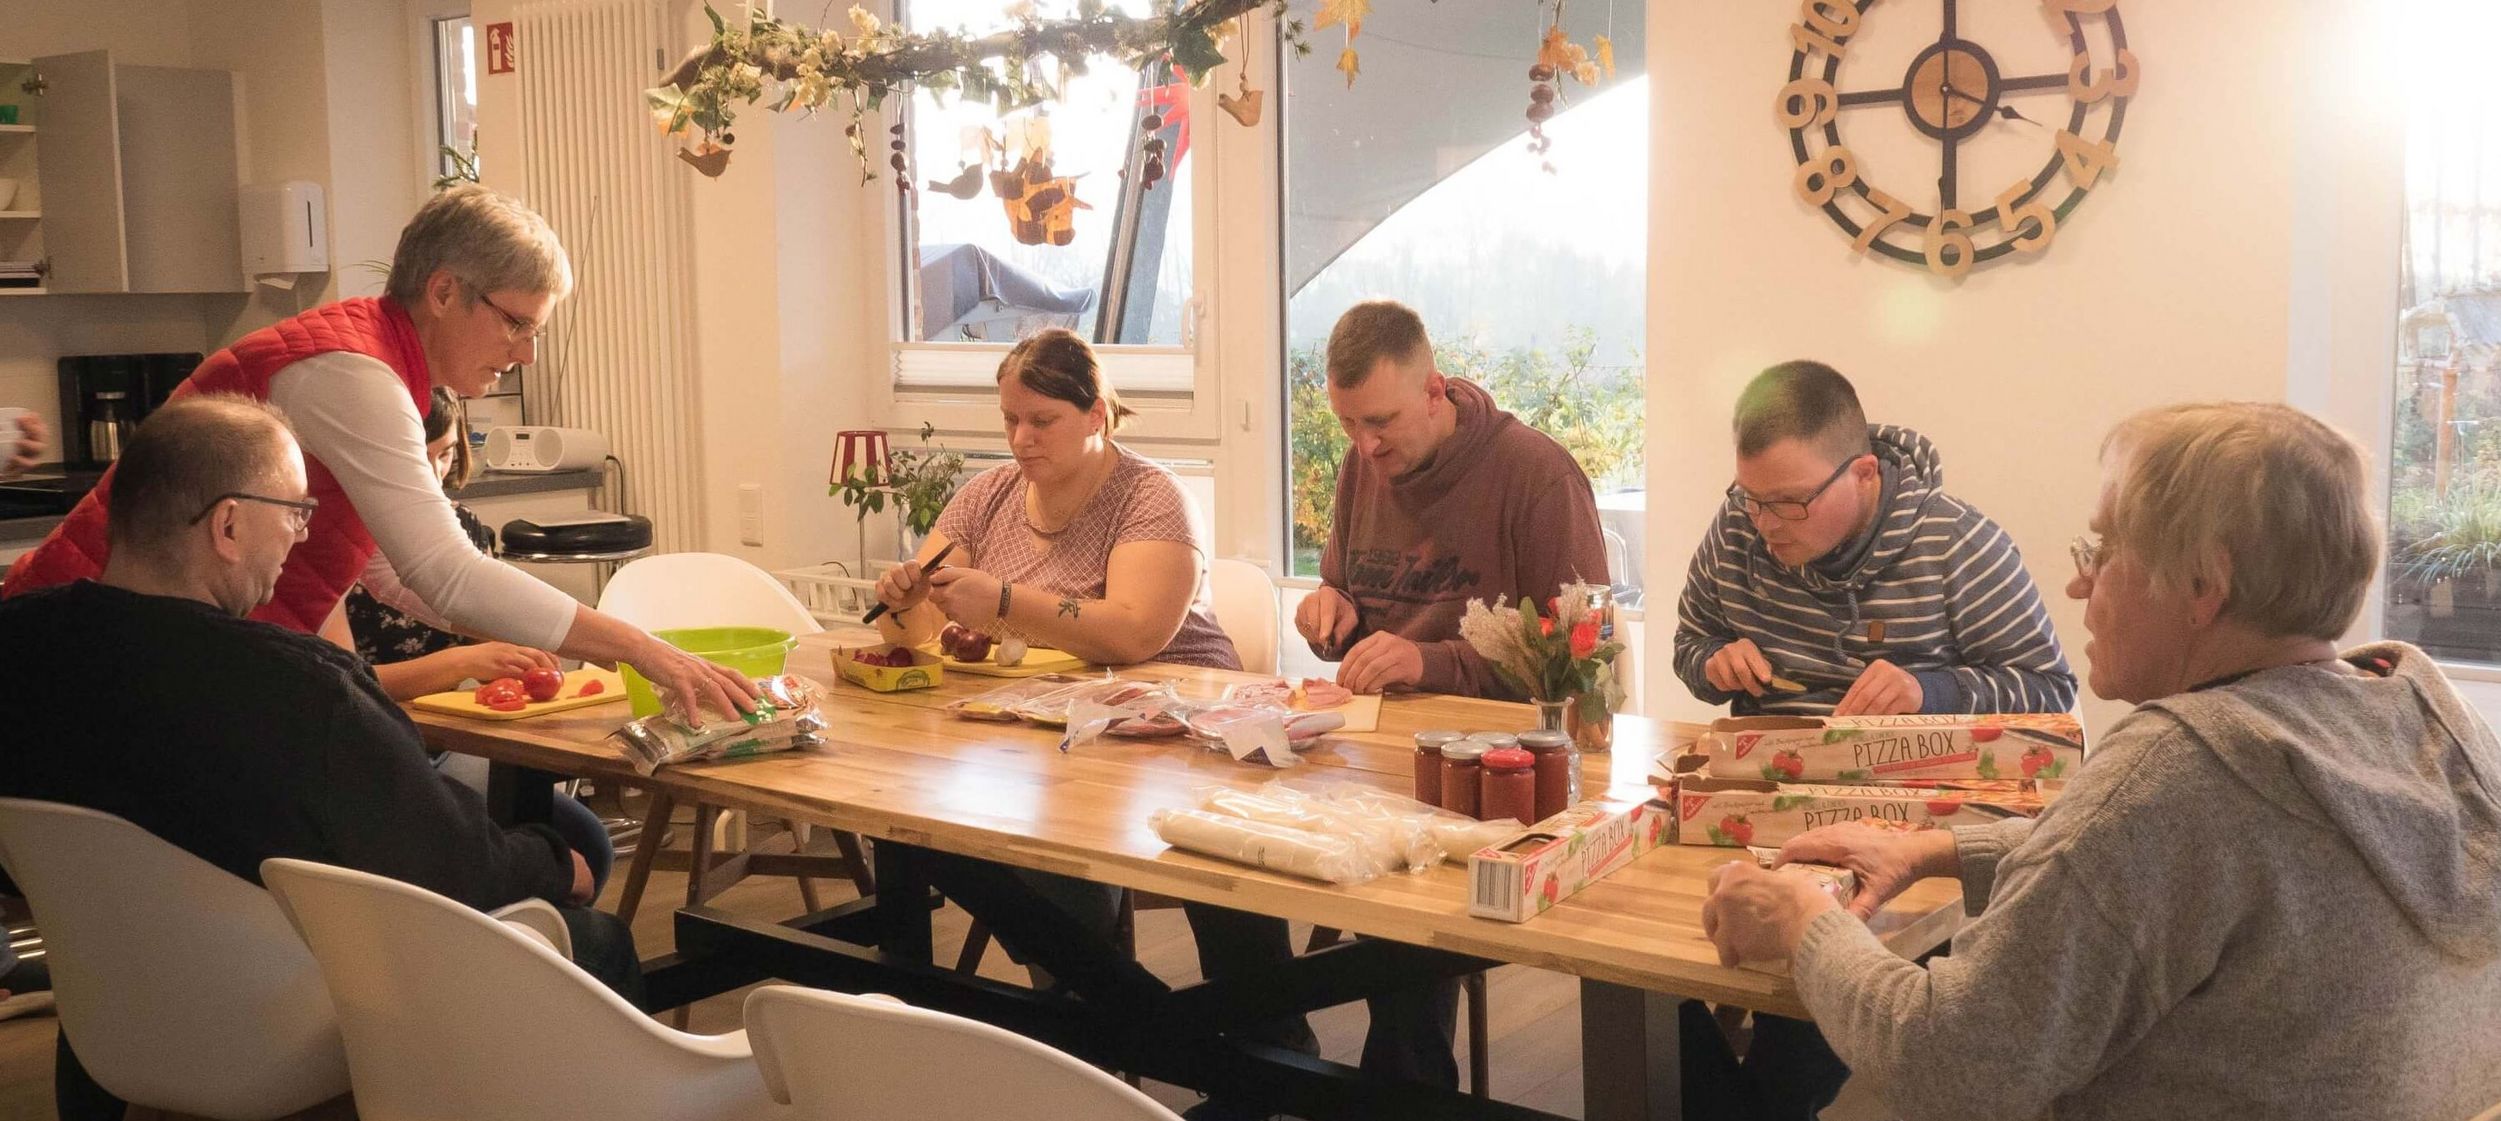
(1442, 499)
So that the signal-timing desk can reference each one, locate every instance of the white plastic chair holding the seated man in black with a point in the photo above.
(179, 985)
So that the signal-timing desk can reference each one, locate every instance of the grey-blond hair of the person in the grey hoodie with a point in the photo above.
(2262, 497)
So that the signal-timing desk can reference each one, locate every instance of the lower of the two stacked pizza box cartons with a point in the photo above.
(1749, 812)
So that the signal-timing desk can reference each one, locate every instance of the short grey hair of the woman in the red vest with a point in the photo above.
(481, 236)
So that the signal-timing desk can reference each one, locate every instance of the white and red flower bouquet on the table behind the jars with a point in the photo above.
(1559, 659)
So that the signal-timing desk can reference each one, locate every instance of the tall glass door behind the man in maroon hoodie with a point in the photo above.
(1419, 184)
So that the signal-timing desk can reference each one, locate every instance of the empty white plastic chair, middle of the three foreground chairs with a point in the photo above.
(451, 1015)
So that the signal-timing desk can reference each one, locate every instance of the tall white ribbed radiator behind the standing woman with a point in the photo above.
(621, 352)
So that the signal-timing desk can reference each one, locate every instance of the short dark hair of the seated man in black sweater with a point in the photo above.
(184, 457)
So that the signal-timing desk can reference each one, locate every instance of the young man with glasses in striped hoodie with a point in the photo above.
(1842, 579)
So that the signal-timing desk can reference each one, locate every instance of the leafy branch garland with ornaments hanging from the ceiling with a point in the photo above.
(794, 69)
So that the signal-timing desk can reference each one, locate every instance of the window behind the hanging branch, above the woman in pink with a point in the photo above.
(992, 256)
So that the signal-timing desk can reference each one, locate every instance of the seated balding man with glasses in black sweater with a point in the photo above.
(146, 694)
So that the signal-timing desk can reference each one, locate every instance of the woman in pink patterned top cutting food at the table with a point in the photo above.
(1082, 544)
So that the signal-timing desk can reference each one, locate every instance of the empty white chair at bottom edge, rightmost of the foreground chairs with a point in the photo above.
(874, 1057)
